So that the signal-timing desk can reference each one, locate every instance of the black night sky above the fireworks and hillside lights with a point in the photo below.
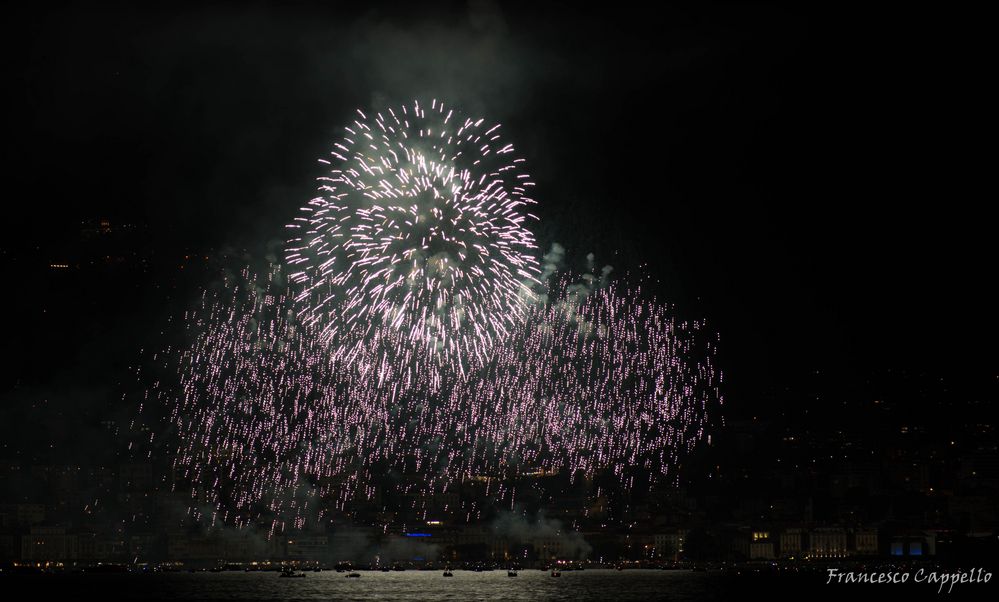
(801, 176)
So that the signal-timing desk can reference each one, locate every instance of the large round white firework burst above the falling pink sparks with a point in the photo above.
(420, 227)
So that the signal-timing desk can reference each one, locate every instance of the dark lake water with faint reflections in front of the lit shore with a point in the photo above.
(593, 584)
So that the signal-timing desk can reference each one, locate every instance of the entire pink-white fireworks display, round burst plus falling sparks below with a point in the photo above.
(414, 327)
